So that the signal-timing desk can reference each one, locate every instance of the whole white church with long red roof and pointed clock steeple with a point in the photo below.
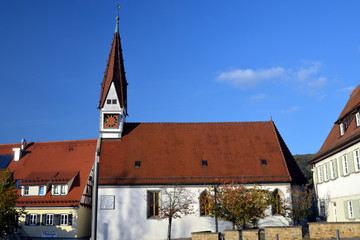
(138, 160)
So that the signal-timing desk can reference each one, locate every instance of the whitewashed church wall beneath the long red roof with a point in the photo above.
(128, 220)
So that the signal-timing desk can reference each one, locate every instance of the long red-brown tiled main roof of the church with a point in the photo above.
(173, 153)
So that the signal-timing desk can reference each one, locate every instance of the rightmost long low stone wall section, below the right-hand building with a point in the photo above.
(328, 230)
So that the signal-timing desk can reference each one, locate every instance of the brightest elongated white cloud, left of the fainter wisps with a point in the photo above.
(245, 78)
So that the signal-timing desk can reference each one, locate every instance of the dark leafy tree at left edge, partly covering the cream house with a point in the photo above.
(8, 196)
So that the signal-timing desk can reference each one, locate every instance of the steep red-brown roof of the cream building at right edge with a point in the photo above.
(334, 141)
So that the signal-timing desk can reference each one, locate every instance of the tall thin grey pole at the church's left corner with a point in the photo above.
(95, 191)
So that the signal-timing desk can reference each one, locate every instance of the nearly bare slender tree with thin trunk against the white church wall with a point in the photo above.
(175, 203)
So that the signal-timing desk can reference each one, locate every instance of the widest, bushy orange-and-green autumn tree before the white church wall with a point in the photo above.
(237, 204)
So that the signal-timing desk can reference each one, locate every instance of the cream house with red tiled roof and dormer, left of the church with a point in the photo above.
(55, 181)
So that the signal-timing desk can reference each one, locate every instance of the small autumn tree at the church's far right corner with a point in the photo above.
(301, 205)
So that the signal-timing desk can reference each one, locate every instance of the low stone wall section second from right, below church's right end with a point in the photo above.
(284, 233)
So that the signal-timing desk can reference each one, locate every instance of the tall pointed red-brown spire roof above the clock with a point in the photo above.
(115, 72)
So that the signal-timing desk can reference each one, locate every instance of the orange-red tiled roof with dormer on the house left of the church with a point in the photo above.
(42, 160)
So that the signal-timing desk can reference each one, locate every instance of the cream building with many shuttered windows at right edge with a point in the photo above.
(336, 167)
